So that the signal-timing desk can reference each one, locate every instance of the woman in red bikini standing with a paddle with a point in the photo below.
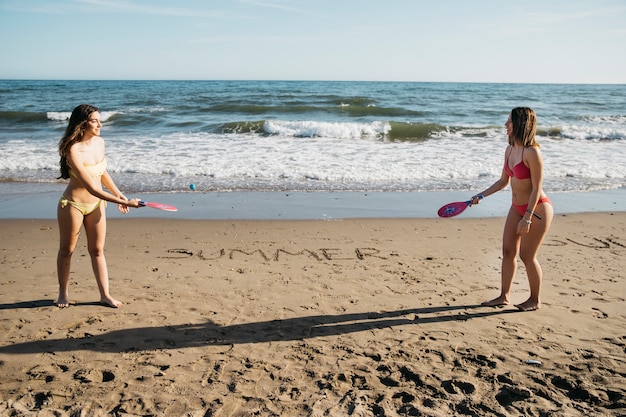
(531, 211)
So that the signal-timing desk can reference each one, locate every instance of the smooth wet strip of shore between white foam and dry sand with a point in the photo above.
(39, 201)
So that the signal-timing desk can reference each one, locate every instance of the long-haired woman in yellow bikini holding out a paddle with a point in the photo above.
(84, 200)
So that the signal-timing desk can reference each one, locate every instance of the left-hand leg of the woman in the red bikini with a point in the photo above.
(510, 246)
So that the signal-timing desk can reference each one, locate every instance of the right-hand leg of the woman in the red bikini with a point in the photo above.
(529, 248)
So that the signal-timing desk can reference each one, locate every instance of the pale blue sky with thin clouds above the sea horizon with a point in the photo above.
(531, 41)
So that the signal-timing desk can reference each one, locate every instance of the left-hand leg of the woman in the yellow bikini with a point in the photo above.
(70, 221)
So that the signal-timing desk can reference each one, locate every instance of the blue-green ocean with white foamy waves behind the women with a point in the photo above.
(262, 136)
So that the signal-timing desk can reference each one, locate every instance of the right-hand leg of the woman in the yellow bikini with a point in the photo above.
(95, 228)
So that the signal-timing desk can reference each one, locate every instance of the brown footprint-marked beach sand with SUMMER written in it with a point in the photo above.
(361, 317)
